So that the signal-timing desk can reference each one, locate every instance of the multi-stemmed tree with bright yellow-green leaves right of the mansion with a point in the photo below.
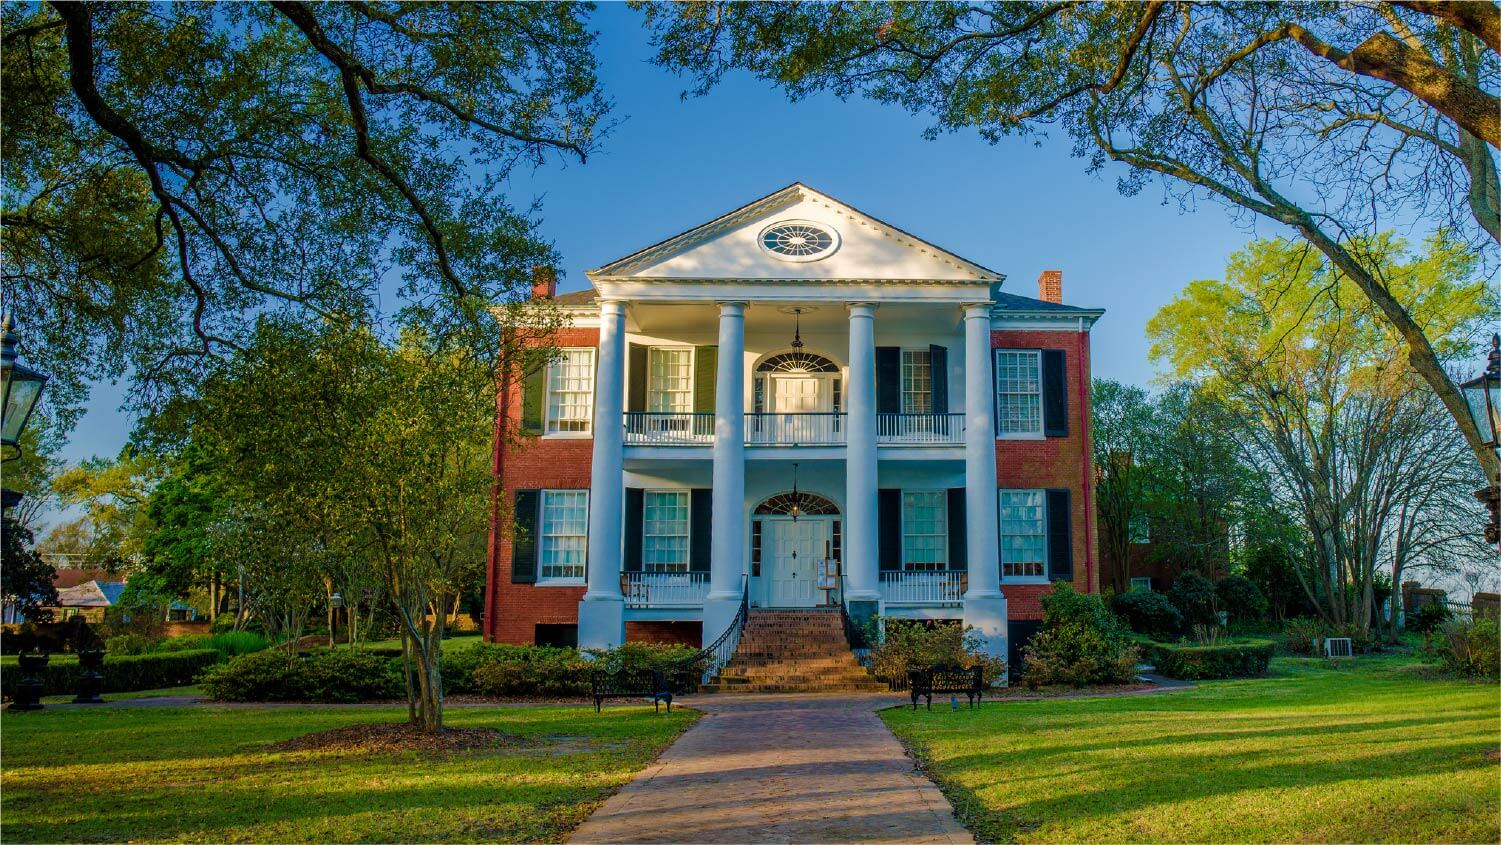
(1325, 403)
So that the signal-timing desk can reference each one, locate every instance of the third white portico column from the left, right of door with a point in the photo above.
(862, 519)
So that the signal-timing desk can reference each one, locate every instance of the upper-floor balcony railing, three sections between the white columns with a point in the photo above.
(651, 429)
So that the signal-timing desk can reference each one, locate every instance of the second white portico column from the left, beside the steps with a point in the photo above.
(727, 559)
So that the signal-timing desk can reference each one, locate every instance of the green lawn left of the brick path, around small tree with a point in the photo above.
(206, 774)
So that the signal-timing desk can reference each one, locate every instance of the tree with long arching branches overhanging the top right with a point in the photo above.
(1331, 119)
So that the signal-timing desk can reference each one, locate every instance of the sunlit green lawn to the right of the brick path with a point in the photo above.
(1364, 753)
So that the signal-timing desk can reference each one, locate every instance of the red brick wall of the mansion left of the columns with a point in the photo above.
(514, 610)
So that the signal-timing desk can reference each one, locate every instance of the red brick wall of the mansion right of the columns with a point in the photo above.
(1056, 463)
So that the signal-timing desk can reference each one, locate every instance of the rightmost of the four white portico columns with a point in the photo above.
(984, 604)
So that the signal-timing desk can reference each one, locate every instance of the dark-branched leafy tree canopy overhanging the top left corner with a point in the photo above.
(175, 170)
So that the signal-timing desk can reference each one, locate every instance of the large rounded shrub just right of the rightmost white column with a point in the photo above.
(1081, 643)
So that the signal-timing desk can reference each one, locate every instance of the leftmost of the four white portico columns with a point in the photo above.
(601, 613)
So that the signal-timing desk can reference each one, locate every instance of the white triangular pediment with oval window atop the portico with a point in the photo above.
(733, 247)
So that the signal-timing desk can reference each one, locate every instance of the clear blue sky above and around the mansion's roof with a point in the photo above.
(1017, 208)
